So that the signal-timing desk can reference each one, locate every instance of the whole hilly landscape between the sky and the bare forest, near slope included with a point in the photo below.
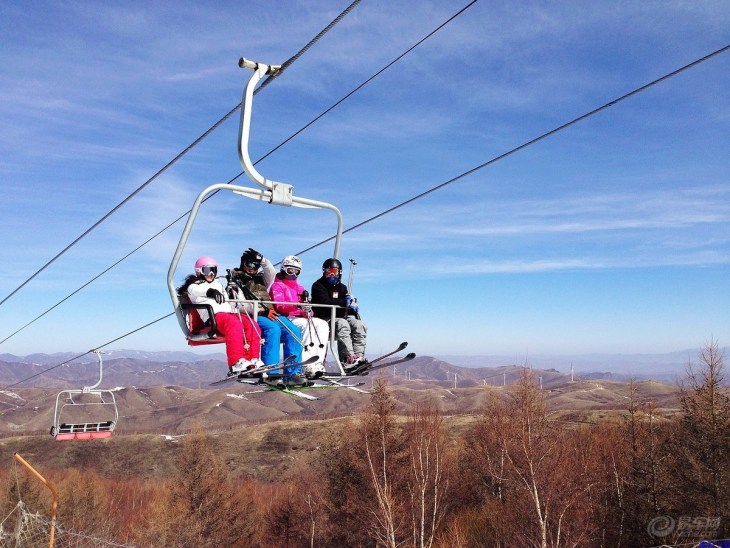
(161, 396)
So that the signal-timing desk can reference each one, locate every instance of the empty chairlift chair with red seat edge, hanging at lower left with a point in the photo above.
(89, 400)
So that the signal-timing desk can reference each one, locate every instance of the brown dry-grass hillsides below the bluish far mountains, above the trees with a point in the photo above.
(267, 434)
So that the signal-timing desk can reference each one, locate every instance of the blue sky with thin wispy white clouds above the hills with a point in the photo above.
(609, 236)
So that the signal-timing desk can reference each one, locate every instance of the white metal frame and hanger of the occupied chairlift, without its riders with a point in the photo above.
(271, 192)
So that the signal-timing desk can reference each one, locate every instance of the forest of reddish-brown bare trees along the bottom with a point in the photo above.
(516, 477)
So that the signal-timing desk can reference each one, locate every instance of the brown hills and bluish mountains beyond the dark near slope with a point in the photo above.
(169, 398)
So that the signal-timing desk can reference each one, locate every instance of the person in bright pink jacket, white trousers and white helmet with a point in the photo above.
(292, 301)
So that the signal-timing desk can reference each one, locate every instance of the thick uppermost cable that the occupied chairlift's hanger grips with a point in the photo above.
(181, 154)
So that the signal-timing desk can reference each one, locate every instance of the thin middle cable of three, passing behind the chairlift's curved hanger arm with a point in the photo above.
(277, 147)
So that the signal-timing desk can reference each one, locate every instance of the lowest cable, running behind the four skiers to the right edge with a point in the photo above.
(449, 181)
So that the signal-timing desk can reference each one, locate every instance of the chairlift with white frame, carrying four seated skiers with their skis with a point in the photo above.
(305, 324)
